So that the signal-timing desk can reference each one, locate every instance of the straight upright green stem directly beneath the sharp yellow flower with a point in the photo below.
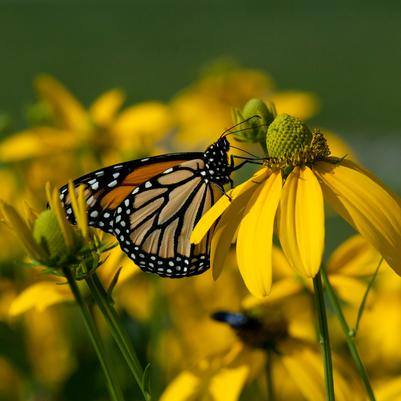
(324, 337)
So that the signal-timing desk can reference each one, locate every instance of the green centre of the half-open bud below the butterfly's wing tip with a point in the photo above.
(47, 233)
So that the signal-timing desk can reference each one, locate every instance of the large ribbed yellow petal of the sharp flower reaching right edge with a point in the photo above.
(366, 205)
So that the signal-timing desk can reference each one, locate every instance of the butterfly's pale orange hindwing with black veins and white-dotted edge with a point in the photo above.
(154, 223)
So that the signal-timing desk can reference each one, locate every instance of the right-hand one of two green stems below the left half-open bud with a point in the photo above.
(118, 332)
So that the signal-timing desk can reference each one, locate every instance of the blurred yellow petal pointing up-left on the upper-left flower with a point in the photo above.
(68, 111)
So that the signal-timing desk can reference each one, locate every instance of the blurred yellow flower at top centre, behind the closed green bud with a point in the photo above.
(204, 109)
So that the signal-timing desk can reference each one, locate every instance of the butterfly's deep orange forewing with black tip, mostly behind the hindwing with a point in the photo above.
(106, 189)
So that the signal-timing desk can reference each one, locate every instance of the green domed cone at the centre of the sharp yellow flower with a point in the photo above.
(287, 135)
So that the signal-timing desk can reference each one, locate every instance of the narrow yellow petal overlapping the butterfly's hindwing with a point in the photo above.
(210, 217)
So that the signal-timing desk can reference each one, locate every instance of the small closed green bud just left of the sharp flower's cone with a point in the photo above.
(259, 116)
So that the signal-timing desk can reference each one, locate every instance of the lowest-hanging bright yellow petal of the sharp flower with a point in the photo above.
(255, 236)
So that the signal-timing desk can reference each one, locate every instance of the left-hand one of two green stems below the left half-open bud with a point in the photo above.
(114, 388)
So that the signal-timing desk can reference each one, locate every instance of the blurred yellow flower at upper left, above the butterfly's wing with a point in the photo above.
(102, 129)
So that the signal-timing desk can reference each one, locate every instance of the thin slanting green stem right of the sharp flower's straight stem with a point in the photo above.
(349, 336)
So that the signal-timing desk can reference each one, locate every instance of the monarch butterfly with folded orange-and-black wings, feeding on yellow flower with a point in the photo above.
(151, 206)
